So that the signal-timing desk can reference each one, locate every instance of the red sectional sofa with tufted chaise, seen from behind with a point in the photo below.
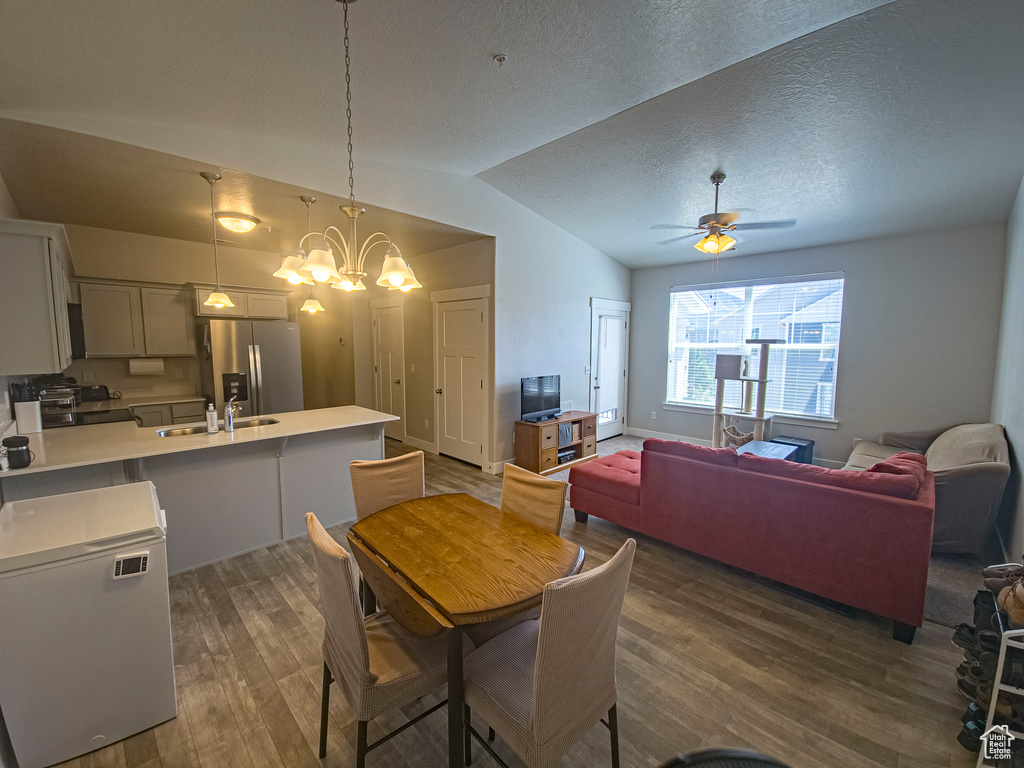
(860, 538)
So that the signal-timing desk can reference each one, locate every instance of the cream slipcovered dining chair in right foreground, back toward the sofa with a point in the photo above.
(542, 686)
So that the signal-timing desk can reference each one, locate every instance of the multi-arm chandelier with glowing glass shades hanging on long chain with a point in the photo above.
(321, 265)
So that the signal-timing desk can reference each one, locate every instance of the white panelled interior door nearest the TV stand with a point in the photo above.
(461, 351)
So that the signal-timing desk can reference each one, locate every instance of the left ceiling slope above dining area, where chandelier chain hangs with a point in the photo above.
(426, 92)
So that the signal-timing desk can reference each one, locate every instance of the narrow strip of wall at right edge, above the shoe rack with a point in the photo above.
(1008, 404)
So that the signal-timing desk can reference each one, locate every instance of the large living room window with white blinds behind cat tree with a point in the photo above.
(805, 313)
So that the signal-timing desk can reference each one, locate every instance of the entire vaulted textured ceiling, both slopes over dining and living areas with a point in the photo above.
(859, 119)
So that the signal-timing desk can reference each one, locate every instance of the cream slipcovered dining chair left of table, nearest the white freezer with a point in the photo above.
(377, 665)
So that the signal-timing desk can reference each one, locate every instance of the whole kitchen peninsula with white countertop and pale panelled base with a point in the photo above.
(225, 494)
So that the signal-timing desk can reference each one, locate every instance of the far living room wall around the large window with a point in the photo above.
(921, 321)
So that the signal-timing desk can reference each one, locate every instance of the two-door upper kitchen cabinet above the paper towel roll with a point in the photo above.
(134, 322)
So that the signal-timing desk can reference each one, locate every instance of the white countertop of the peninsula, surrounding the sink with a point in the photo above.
(101, 444)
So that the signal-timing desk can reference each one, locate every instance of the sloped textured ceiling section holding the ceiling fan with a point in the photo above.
(906, 118)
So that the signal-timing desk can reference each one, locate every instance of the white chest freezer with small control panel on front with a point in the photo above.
(86, 628)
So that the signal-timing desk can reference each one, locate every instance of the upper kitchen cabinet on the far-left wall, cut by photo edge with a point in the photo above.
(34, 263)
